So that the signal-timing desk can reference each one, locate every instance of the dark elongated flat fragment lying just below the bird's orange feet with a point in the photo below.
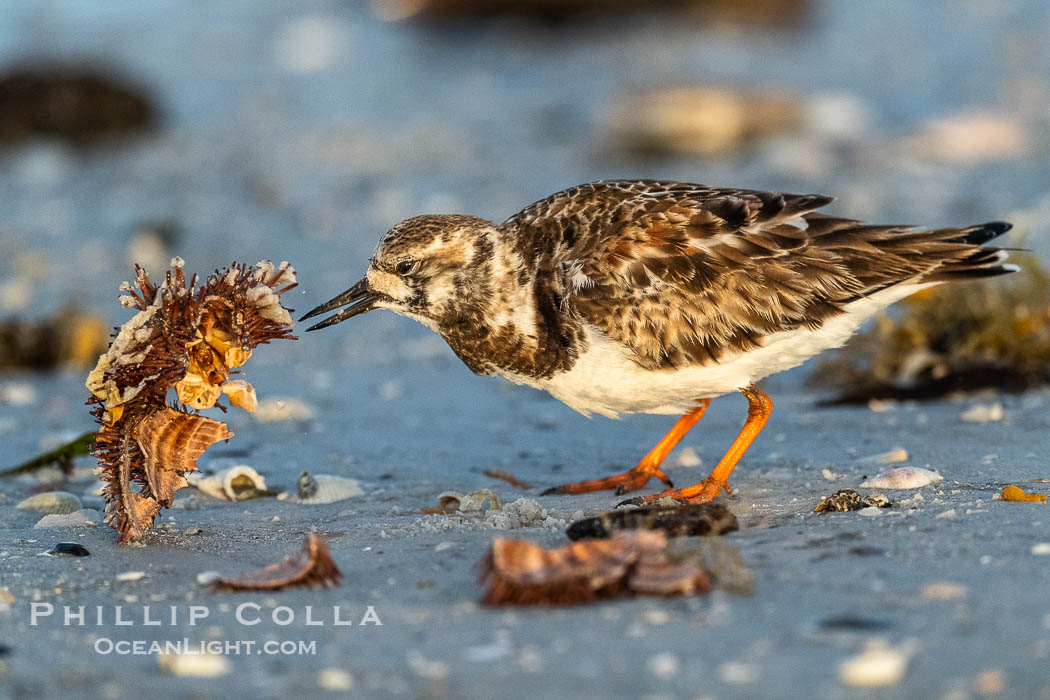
(705, 519)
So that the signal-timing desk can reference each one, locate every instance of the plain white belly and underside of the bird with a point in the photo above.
(606, 381)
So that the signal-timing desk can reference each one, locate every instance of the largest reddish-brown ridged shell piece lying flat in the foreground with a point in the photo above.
(519, 572)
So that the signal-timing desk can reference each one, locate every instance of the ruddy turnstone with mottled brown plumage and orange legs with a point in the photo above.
(655, 298)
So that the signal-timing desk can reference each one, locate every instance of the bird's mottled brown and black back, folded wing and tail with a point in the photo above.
(685, 274)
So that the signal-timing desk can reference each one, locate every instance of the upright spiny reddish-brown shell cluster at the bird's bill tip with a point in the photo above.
(190, 337)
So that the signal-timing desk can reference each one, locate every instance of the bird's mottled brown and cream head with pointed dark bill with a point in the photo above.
(424, 267)
